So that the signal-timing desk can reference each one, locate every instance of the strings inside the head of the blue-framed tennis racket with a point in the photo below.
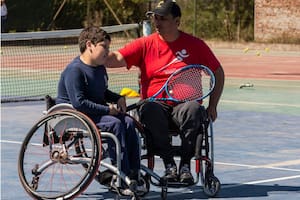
(187, 85)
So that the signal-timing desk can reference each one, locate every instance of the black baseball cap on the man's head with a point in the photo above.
(166, 7)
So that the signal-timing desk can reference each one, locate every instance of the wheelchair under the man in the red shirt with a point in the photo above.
(204, 164)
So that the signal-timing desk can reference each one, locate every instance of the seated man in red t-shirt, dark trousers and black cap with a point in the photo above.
(158, 56)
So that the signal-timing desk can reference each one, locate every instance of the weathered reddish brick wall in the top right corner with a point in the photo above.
(277, 19)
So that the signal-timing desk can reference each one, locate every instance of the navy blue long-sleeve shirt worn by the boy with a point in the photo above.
(86, 88)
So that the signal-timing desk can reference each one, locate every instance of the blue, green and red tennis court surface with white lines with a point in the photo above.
(257, 133)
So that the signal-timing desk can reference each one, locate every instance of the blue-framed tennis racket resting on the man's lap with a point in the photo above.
(192, 82)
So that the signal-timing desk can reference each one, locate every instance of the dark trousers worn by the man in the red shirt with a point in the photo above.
(188, 117)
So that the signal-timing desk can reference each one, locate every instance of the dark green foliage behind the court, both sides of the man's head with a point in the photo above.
(209, 19)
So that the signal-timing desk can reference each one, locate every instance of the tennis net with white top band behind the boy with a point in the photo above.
(31, 62)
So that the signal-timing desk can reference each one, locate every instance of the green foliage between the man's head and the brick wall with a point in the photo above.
(219, 19)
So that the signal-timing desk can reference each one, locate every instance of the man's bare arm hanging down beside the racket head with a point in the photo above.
(216, 94)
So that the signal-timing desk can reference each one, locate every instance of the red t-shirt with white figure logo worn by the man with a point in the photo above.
(158, 59)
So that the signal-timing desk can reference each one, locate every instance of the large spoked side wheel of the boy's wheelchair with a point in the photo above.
(60, 156)
